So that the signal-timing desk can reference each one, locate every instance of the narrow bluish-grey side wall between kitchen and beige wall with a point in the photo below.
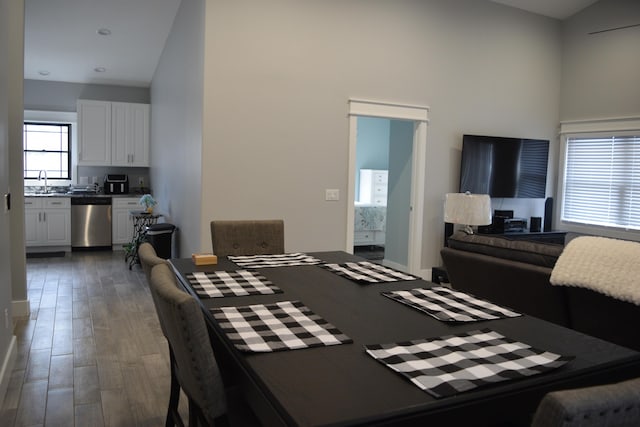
(176, 129)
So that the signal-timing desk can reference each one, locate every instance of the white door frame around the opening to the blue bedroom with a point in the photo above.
(419, 115)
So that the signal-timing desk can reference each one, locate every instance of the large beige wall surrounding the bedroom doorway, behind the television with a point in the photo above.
(277, 77)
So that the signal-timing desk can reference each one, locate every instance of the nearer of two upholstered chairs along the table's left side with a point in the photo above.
(193, 364)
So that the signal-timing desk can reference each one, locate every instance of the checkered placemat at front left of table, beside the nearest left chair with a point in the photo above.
(286, 325)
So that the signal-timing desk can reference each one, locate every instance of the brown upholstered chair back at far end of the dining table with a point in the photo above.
(247, 237)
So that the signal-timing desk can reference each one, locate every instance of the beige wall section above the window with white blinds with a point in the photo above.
(600, 71)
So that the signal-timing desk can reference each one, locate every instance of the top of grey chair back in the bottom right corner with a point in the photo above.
(605, 405)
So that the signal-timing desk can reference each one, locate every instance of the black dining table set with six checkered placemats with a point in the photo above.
(360, 373)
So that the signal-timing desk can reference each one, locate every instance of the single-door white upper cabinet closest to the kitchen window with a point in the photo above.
(94, 133)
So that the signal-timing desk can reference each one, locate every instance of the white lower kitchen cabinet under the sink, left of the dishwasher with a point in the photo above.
(48, 221)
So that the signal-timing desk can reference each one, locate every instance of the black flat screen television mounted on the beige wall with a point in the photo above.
(504, 167)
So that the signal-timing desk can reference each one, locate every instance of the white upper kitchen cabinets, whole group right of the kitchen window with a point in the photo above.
(113, 133)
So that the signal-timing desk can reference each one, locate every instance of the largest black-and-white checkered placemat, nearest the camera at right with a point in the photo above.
(452, 364)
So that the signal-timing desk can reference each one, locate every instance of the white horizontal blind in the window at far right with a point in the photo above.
(602, 181)
